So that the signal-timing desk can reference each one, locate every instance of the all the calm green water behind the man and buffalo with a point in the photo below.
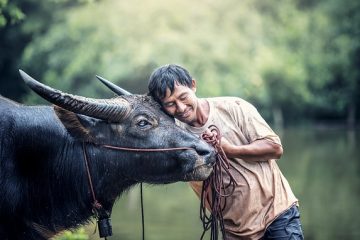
(322, 166)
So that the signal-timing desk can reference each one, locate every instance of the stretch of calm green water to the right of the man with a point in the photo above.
(323, 166)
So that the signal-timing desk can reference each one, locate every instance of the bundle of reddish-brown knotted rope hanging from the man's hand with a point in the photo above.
(214, 190)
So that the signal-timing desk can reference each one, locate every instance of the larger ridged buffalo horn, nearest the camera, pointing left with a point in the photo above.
(113, 110)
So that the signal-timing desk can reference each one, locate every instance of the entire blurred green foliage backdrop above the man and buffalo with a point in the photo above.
(298, 57)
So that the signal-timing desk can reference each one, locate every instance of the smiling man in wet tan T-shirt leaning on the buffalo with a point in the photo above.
(262, 205)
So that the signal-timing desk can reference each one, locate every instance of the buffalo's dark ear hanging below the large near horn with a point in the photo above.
(75, 124)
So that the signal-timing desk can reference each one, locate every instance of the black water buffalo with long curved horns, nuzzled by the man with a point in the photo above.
(45, 153)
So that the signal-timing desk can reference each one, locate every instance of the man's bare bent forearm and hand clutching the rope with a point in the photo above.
(259, 150)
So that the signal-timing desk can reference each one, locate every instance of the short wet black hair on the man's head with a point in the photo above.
(165, 77)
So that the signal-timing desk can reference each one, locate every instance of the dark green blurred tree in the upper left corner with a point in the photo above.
(21, 21)
